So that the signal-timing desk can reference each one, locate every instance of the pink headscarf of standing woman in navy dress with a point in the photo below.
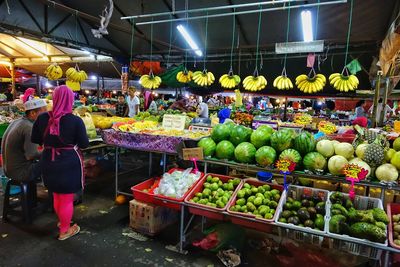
(63, 100)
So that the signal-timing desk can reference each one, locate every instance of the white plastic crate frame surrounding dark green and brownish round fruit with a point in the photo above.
(297, 233)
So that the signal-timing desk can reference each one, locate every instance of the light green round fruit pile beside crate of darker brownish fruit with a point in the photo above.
(260, 201)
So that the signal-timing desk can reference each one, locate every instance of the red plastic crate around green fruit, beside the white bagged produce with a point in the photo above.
(204, 210)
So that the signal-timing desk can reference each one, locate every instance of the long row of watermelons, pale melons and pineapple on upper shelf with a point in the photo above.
(264, 146)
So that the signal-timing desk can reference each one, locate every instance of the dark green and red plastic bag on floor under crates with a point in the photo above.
(222, 236)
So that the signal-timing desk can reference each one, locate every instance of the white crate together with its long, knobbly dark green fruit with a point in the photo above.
(362, 219)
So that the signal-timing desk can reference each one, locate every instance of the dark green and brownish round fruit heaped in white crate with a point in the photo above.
(307, 211)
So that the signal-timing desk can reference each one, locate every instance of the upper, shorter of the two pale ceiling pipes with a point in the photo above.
(209, 9)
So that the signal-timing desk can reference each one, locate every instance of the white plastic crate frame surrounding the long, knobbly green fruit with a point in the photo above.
(360, 203)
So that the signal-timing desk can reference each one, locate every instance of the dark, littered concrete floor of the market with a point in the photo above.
(103, 240)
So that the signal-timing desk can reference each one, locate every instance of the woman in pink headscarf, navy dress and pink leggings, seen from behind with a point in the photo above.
(62, 134)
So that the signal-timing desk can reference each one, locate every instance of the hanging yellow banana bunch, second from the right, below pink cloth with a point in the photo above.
(311, 83)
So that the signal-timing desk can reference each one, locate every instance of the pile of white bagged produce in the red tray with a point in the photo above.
(177, 183)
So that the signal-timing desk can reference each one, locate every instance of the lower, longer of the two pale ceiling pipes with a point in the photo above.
(243, 12)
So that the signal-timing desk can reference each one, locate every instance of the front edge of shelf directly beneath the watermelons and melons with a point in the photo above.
(297, 174)
